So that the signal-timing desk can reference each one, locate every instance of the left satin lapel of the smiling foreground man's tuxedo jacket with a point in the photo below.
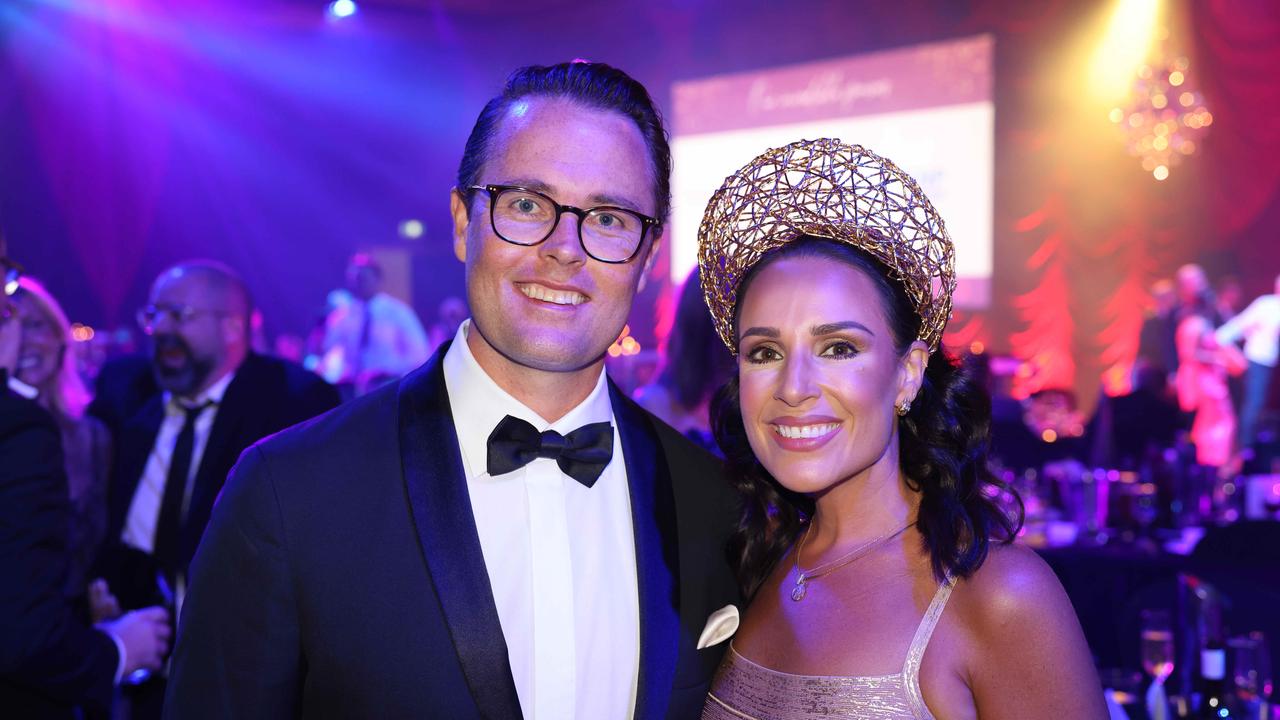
(441, 504)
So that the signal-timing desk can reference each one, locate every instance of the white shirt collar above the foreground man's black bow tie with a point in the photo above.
(479, 405)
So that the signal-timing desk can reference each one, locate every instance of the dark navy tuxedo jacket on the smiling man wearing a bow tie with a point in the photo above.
(342, 575)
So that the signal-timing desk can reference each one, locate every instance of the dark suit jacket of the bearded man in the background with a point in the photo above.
(266, 397)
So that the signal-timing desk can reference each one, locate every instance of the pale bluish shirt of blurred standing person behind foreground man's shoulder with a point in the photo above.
(396, 344)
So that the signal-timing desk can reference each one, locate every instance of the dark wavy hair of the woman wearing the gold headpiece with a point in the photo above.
(944, 443)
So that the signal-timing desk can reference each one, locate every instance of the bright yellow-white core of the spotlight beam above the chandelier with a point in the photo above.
(1126, 44)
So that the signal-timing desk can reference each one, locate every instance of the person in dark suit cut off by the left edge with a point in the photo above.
(53, 664)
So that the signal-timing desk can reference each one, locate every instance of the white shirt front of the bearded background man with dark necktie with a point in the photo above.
(140, 525)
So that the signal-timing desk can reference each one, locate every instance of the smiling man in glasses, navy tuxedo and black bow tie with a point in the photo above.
(502, 534)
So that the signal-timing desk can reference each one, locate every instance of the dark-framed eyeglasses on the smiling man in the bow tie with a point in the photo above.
(525, 217)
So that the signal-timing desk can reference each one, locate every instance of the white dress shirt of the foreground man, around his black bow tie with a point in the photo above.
(560, 557)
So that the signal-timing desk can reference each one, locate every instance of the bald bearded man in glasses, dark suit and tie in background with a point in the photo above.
(217, 398)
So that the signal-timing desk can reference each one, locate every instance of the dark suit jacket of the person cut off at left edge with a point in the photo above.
(51, 662)
